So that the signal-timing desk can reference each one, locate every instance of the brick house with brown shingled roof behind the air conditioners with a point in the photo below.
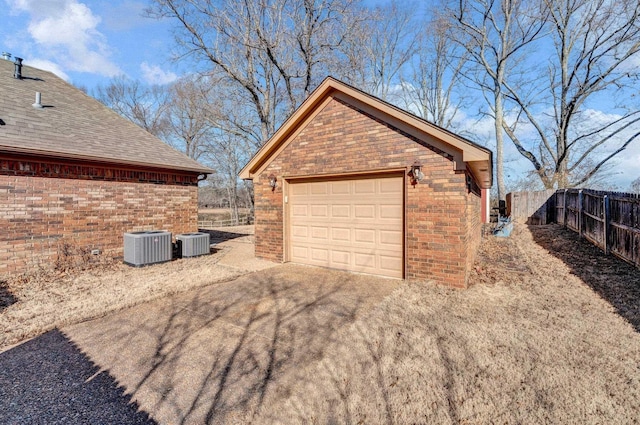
(74, 175)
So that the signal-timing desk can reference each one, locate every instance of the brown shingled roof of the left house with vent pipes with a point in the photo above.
(73, 125)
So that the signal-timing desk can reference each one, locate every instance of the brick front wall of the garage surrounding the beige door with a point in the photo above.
(343, 139)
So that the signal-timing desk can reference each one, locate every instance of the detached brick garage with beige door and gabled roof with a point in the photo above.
(354, 183)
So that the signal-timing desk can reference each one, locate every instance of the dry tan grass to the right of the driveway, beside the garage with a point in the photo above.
(534, 345)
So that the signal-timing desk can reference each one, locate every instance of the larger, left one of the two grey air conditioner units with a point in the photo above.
(147, 247)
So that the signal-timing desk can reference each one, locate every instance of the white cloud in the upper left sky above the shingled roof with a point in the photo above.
(65, 32)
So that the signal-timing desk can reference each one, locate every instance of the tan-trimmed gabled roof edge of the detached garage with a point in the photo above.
(466, 153)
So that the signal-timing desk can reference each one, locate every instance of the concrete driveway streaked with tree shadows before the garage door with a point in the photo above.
(218, 354)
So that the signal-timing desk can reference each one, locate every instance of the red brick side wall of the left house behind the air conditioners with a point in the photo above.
(89, 208)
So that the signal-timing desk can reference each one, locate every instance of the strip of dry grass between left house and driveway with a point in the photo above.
(44, 300)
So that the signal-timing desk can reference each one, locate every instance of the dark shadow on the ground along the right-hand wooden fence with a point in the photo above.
(610, 277)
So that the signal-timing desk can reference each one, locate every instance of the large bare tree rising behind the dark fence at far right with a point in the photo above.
(596, 44)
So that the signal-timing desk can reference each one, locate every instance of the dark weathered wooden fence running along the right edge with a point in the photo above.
(609, 220)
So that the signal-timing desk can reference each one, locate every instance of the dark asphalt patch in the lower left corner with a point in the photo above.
(48, 380)
